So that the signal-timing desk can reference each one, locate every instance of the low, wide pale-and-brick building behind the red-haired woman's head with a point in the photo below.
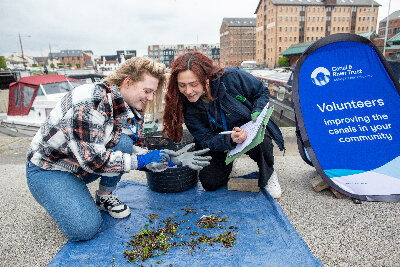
(167, 53)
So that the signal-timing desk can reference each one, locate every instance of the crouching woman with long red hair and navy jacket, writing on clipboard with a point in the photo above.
(209, 100)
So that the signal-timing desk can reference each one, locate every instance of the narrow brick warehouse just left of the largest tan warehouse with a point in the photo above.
(237, 39)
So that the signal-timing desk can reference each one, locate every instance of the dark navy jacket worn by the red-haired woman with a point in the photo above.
(238, 94)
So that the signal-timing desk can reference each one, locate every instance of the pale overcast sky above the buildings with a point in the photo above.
(105, 26)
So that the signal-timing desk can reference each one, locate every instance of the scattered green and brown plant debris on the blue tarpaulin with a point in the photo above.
(157, 239)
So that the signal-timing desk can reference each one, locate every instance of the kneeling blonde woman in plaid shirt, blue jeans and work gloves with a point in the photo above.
(92, 134)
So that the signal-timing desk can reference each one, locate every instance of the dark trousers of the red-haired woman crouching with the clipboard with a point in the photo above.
(217, 173)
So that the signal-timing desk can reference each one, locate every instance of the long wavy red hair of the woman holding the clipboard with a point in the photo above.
(205, 69)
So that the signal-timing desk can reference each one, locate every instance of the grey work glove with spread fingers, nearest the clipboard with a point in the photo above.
(193, 160)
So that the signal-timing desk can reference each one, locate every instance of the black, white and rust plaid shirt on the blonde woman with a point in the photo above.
(79, 131)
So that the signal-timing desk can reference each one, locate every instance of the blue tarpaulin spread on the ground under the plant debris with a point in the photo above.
(264, 236)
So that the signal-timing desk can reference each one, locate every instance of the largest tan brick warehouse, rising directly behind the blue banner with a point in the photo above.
(281, 23)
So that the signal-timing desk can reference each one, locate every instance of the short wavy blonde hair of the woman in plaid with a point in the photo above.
(135, 68)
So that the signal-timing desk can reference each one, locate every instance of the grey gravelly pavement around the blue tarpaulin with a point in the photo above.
(337, 231)
